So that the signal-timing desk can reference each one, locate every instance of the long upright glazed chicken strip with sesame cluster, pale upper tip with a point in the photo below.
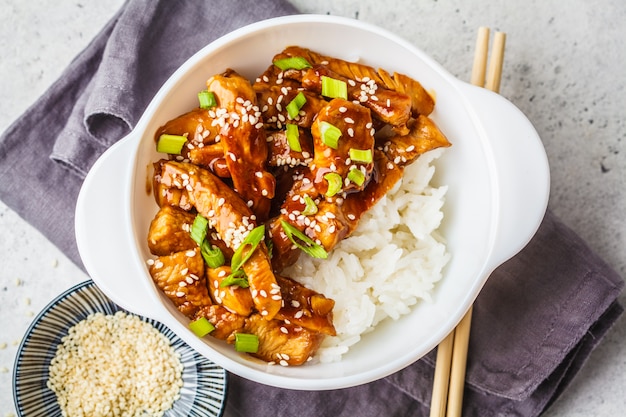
(243, 138)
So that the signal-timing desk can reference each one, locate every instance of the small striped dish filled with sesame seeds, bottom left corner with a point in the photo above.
(84, 355)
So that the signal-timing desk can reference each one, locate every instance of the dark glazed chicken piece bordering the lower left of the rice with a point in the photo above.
(305, 307)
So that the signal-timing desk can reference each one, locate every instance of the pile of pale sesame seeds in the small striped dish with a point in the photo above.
(115, 365)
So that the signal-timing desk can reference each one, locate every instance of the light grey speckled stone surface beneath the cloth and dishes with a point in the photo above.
(564, 68)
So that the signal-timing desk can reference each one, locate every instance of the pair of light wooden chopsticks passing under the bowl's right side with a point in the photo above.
(449, 380)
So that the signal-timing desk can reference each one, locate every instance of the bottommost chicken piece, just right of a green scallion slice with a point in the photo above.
(279, 342)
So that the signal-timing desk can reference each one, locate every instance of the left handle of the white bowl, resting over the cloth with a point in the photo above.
(100, 224)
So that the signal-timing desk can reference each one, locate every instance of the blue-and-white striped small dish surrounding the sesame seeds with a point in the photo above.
(204, 383)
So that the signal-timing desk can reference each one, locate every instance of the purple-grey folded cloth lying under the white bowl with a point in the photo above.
(534, 324)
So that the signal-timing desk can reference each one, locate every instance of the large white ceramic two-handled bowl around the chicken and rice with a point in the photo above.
(496, 170)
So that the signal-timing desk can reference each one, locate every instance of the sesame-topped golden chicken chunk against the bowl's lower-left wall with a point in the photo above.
(181, 278)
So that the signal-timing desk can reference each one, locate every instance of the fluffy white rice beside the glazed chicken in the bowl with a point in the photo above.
(391, 261)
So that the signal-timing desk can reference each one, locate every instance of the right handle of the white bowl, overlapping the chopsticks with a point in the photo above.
(521, 168)
